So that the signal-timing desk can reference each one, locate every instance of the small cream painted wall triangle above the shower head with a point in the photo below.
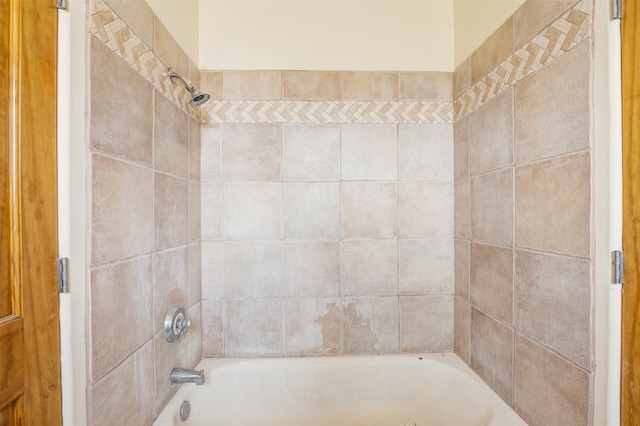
(181, 17)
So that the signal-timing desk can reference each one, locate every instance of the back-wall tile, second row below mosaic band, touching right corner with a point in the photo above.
(425, 209)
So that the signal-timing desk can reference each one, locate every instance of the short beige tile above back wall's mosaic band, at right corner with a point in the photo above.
(425, 85)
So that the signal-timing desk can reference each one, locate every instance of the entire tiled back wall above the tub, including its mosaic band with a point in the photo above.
(327, 213)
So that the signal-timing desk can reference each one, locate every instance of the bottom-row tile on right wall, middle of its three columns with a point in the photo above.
(492, 353)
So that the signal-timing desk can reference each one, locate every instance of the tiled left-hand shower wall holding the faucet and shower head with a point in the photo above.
(145, 215)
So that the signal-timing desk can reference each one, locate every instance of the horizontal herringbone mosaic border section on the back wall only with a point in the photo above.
(328, 112)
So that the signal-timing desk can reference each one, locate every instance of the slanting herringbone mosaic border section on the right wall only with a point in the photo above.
(564, 34)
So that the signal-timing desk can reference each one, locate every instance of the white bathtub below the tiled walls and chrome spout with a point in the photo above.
(387, 390)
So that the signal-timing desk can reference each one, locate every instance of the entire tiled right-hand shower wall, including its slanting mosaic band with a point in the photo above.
(523, 278)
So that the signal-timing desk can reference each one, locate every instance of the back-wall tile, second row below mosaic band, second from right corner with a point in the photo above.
(369, 209)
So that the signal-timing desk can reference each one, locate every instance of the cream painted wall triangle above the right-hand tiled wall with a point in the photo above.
(475, 20)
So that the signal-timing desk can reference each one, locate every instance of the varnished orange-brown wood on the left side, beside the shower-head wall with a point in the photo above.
(32, 106)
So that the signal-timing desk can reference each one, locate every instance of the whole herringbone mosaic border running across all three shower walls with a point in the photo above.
(565, 33)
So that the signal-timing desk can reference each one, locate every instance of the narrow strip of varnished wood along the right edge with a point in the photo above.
(630, 363)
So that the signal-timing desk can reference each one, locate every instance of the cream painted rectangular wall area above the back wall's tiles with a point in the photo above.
(327, 35)
